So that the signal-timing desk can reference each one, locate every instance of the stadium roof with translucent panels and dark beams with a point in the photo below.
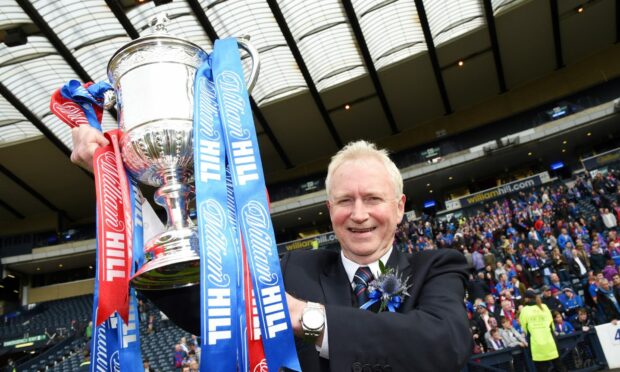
(409, 70)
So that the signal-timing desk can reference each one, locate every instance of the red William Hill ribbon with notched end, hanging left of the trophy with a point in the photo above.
(114, 230)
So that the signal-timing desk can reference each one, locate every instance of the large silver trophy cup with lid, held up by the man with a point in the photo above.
(153, 80)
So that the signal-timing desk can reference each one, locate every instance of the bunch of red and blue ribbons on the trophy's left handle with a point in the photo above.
(115, 342)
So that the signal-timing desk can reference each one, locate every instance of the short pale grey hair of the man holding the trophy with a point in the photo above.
(363, 149)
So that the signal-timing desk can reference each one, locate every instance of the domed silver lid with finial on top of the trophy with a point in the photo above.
(156, 47)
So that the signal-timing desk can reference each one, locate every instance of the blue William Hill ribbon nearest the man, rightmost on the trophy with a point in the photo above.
(251, 206)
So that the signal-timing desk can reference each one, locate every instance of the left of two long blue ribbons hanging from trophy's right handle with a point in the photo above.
(218, 235)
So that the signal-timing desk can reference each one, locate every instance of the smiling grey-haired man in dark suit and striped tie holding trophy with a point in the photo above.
(427, 331)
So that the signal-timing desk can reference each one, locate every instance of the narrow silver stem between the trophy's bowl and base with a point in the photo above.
(175, 197)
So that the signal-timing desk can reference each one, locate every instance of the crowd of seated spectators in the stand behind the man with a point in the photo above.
(559, 240)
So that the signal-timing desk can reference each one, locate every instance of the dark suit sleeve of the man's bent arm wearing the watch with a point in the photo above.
(433, 336)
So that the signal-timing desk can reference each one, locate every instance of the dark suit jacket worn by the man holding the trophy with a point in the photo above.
(430, 331)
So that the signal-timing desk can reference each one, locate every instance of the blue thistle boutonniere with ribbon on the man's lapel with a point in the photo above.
(389, 288)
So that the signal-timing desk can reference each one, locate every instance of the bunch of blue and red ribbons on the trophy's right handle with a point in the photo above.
(225, 139)
